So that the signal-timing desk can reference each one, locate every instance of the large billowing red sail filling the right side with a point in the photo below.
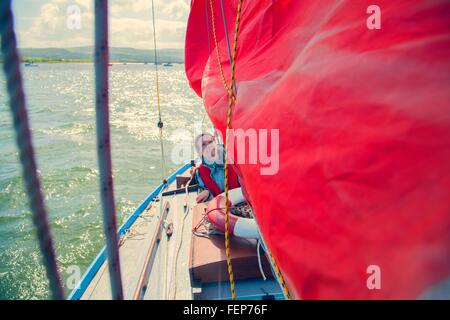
(360, 205)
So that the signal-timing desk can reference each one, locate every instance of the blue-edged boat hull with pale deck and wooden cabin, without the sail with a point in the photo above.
(169, 249)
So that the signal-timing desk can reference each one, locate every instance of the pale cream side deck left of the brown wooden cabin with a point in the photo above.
(135, 245)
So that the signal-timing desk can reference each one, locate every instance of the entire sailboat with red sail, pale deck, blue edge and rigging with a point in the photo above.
(356, 96)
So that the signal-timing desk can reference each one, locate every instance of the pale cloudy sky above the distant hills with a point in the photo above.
(69, 23)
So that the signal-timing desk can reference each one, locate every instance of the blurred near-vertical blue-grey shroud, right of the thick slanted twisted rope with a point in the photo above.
(104, 146)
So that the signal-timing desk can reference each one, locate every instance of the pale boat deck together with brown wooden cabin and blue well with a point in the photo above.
(184, 266)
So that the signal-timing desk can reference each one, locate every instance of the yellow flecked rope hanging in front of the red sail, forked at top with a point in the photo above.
(229, 113)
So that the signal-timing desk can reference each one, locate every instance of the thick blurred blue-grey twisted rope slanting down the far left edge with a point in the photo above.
(11, 67)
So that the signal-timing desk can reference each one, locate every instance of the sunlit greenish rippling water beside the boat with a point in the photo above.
(62, 115)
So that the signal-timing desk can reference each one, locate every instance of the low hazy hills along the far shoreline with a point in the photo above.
(116, 54)
